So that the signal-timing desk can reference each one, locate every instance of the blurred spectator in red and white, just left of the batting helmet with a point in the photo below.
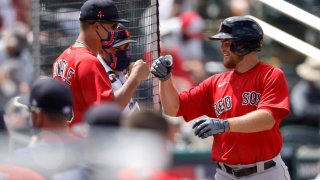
(187, 40)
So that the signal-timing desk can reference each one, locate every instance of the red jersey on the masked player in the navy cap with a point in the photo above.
(81, 70)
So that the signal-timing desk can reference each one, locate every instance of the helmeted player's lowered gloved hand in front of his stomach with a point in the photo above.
(204, 128)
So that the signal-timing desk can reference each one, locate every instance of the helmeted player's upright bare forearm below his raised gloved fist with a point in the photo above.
(169, 98)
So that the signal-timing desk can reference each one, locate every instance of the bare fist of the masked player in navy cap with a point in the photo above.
(140, 70)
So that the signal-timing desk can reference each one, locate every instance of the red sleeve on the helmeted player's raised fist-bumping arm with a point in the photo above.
(197, 101)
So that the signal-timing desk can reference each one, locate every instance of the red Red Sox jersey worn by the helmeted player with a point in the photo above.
(231, 94)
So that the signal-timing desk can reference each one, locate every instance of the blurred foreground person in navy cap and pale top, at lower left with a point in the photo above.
(55, 149)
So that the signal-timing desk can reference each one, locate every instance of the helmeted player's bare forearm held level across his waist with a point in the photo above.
(256, 121)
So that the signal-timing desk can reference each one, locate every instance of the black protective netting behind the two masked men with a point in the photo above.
(56, 26)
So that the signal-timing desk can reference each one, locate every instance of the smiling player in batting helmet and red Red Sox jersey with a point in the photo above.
(244, 106)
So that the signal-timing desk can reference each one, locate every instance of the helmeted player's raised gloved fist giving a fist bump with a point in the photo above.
(161, 67)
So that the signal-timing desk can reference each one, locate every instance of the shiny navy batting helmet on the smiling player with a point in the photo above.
(246, 32)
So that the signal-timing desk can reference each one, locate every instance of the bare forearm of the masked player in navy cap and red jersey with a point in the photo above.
(125, 93)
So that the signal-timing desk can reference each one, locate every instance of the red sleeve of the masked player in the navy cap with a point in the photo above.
(94, 82)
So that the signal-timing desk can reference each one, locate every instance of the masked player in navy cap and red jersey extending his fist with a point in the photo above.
(79, 67)
